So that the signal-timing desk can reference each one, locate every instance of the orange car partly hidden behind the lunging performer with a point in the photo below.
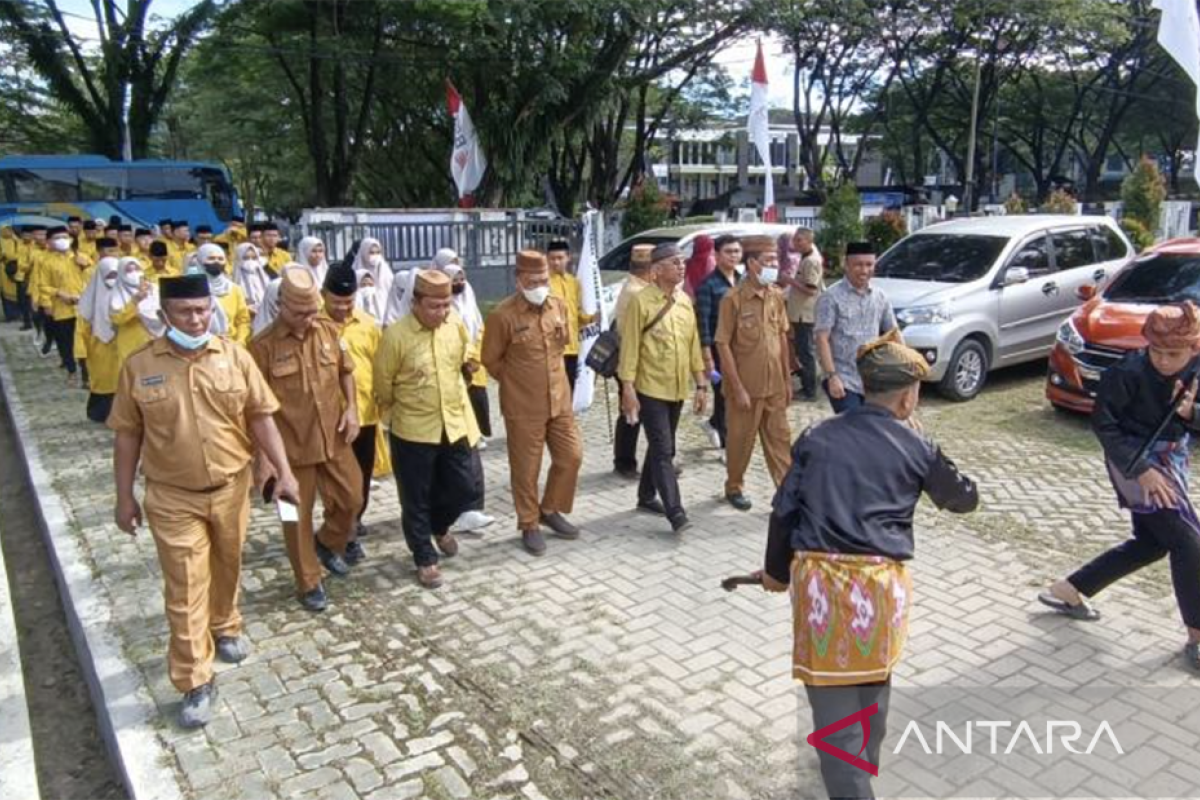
(1108, 327)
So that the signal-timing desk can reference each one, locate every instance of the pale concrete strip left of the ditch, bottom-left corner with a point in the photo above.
(19, 769)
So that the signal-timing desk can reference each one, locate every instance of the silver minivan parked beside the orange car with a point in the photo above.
(979, 294)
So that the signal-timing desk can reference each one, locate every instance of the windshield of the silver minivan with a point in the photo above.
(945, 258)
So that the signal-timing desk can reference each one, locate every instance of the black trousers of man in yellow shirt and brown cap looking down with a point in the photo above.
(436, 485)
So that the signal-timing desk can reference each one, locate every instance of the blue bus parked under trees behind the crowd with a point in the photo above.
(141, 193)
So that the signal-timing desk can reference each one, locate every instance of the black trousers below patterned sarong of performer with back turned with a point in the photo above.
(832, 705)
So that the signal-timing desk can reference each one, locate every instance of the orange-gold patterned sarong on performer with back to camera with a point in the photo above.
(850, 617)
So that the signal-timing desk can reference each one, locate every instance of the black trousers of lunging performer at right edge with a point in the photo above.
(1155, 536)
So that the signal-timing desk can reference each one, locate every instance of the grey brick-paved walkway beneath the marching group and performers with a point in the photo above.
(614, 667)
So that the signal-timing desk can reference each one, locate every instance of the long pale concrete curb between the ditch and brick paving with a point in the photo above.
(124, 705)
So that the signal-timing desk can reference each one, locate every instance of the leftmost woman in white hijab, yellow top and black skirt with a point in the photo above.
(95, 340)
